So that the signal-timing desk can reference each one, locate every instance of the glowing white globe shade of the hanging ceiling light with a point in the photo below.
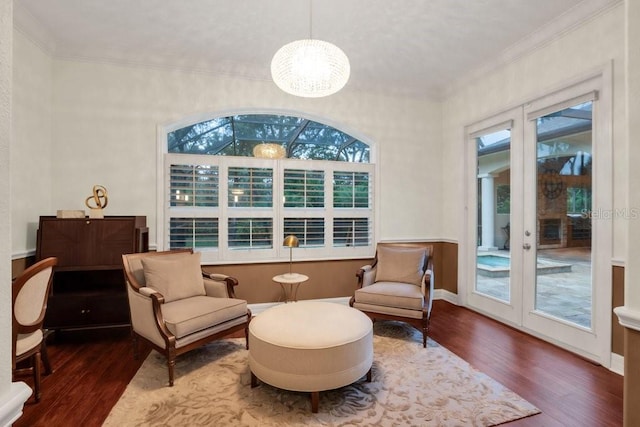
(310, 68)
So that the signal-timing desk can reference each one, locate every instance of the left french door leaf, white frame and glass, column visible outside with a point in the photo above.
(495, 216)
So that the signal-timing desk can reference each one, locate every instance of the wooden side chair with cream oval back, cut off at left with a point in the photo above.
(30, 292)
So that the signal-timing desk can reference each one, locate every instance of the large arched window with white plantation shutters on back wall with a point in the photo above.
(235, 186)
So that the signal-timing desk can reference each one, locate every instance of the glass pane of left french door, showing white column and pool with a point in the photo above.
(493, 260)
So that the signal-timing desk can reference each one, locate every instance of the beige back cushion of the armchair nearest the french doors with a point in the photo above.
(400, 264)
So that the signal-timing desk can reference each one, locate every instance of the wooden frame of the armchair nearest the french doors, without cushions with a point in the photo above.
(366, 276)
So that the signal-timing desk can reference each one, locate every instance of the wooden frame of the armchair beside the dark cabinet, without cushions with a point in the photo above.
(170, 350)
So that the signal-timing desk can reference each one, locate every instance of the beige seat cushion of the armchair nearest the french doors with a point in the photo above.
(391, 294)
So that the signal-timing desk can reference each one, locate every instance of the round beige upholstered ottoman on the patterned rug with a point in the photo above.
(310, 346)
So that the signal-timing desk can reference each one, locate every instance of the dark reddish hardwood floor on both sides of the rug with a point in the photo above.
(92, 369)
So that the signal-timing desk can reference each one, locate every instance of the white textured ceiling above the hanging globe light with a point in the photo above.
(418, 47)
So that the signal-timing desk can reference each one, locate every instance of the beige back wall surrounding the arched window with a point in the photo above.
(105, 120)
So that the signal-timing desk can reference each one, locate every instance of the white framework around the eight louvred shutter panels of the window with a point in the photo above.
(223, 254)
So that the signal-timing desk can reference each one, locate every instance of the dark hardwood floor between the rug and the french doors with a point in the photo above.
(569, 390)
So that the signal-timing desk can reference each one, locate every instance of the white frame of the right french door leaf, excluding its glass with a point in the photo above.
(586, 342)
